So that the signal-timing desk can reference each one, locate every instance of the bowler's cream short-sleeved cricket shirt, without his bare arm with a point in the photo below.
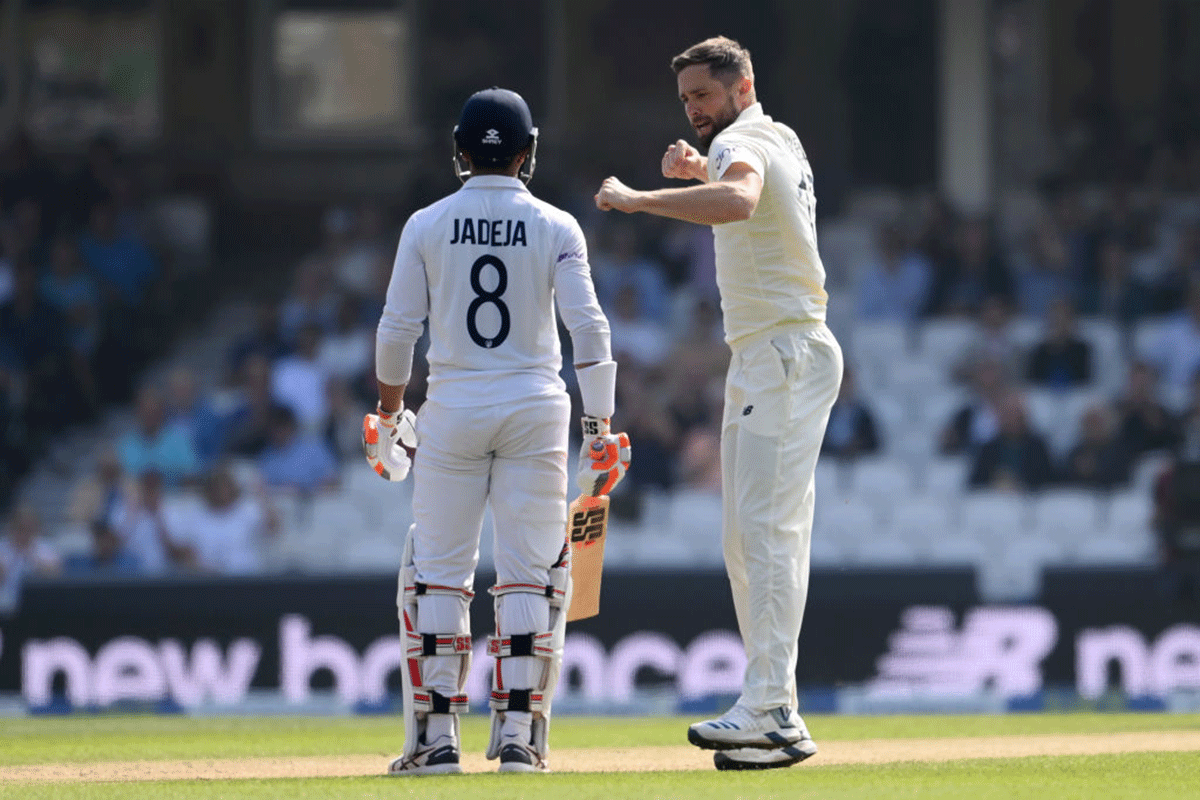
(767, 267)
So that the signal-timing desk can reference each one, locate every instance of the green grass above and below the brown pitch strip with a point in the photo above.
(91, 739)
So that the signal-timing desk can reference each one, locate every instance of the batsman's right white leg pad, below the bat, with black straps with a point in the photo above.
(531, 624)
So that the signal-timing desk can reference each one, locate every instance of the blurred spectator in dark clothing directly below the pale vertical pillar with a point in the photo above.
(974, 273)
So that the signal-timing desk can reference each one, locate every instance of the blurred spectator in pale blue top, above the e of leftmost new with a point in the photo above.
(149, 530)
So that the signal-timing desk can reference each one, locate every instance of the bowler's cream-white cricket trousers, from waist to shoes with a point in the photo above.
(778, 395)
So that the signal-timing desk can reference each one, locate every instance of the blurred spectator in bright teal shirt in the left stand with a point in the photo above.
(155, 444)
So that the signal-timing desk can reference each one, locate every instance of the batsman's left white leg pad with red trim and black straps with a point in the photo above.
(435, 629)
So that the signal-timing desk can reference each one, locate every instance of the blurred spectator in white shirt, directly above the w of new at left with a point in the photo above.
(229, 530)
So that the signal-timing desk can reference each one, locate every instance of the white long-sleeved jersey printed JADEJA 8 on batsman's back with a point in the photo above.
(484, 267)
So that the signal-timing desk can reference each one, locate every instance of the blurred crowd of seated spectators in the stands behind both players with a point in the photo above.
(83, 292)
